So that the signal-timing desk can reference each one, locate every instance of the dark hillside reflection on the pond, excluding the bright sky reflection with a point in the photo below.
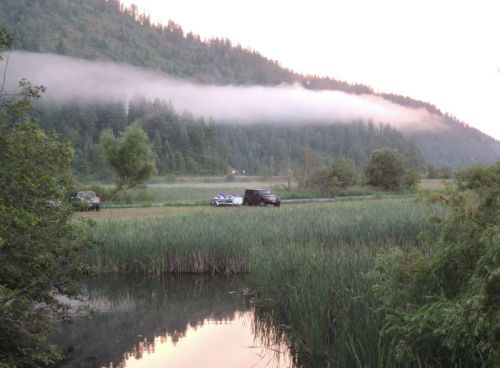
(132, 312)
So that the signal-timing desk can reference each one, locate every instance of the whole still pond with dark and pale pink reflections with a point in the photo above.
(174, 322)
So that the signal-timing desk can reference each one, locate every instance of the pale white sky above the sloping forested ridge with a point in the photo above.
(443, 52)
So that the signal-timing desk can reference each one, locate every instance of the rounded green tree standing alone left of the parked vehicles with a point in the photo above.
(130, 155)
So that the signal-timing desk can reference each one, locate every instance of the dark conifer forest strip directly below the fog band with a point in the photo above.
(184, 144)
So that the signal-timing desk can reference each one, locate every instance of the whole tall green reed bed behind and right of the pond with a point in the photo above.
(311, 266)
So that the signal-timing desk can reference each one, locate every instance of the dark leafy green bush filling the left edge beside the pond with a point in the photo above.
(40, 246)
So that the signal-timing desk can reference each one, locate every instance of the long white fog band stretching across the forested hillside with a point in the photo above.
(69, 78)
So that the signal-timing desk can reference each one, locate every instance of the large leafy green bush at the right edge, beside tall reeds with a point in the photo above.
(442, 302)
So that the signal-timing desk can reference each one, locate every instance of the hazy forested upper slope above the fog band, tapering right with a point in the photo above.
(104, 30)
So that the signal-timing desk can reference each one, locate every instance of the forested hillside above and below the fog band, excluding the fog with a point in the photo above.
(105, 30)
